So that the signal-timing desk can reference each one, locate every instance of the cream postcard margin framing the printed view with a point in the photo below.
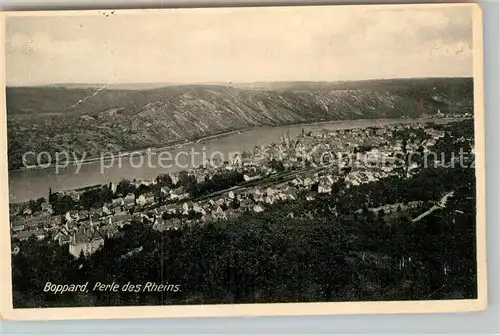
(7, 312)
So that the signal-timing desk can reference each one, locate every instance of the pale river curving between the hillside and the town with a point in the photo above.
(31, 184)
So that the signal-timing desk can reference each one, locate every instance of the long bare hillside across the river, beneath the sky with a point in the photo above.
(97, 118)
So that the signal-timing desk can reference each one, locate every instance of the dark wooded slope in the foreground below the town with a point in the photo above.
(327, 250)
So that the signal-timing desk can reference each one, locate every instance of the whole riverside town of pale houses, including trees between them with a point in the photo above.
(304, 166)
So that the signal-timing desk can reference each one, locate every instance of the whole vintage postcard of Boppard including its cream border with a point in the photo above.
(234, 160)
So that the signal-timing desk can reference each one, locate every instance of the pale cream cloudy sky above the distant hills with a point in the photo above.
(314, 43)
